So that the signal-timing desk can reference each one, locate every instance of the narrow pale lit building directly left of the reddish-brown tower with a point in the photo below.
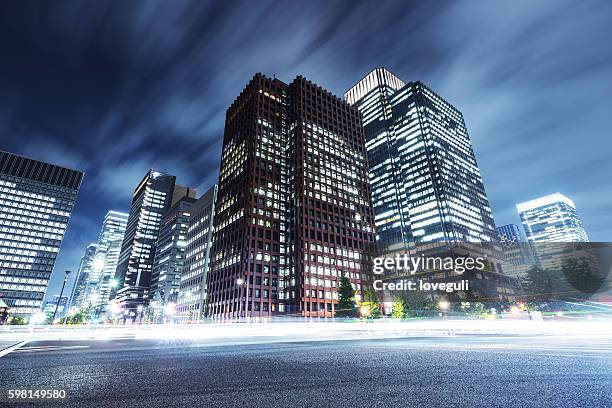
(192, 293)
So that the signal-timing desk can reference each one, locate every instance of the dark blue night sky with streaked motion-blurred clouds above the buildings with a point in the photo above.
(114, 88)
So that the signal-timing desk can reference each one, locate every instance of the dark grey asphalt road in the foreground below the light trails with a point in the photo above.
(471, 371)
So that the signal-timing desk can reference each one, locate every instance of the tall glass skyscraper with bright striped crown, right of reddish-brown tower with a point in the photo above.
(426, 185)
